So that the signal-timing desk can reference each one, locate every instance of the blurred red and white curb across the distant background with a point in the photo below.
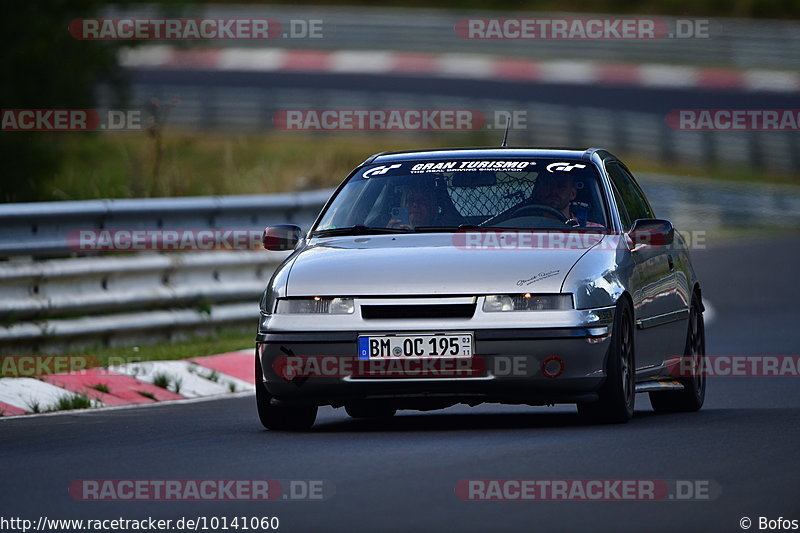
(459, 66)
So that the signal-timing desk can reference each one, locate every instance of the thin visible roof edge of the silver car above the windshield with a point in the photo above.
(489, 153)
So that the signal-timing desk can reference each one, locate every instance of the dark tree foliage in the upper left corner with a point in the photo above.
(43, 67)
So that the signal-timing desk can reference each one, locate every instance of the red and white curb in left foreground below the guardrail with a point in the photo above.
(132, 384)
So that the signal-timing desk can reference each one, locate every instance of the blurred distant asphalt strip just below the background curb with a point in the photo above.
(620, 98)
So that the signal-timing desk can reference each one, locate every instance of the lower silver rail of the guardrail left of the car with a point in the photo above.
(84, 286)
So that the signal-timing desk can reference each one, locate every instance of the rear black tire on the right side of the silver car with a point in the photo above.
(691, 398)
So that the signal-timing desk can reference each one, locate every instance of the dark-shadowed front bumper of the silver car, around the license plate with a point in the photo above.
(521, 365)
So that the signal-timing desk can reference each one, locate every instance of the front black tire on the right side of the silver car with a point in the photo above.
(618, 393)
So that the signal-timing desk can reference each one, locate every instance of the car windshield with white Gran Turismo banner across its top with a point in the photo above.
(446, 195)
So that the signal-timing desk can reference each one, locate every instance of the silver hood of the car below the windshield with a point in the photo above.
(438, 264)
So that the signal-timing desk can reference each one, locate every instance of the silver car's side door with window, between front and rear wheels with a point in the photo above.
(656, 300)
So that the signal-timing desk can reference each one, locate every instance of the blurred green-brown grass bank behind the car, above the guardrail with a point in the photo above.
(195, 164)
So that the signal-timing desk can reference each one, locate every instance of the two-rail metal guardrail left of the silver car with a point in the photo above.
(51, 303)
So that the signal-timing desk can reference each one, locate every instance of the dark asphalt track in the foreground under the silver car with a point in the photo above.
(400, 475)
